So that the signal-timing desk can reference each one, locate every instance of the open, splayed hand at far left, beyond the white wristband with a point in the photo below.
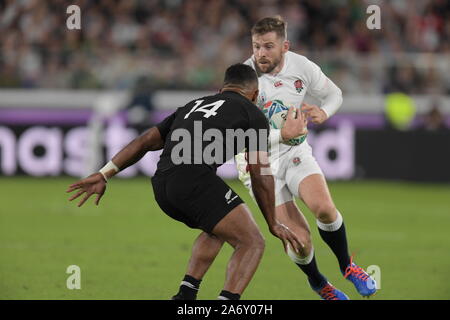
(94, 184)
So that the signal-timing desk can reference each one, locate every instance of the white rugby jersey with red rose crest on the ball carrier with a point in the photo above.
(298, 77)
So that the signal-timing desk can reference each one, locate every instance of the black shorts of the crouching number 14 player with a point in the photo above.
(194, 195)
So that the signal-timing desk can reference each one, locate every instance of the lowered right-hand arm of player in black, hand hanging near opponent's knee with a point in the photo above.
(263, 189)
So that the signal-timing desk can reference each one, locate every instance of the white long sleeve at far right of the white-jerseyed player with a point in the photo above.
(322, 88)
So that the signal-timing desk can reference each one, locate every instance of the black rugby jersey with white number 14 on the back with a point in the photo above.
(211, 130)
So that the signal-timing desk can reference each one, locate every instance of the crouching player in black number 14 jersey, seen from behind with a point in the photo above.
(196, 139)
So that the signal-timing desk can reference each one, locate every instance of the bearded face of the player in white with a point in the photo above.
(268, 51)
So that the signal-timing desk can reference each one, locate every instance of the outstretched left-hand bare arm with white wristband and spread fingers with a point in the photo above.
(150, 140)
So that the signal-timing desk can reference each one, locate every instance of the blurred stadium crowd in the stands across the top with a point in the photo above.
(187, 44)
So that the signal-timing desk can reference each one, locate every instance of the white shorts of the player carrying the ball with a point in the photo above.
(289, 171)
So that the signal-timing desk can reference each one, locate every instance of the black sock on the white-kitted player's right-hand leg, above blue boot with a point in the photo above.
(337, 241)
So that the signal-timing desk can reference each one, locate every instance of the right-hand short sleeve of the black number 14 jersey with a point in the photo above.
(258, 122)
